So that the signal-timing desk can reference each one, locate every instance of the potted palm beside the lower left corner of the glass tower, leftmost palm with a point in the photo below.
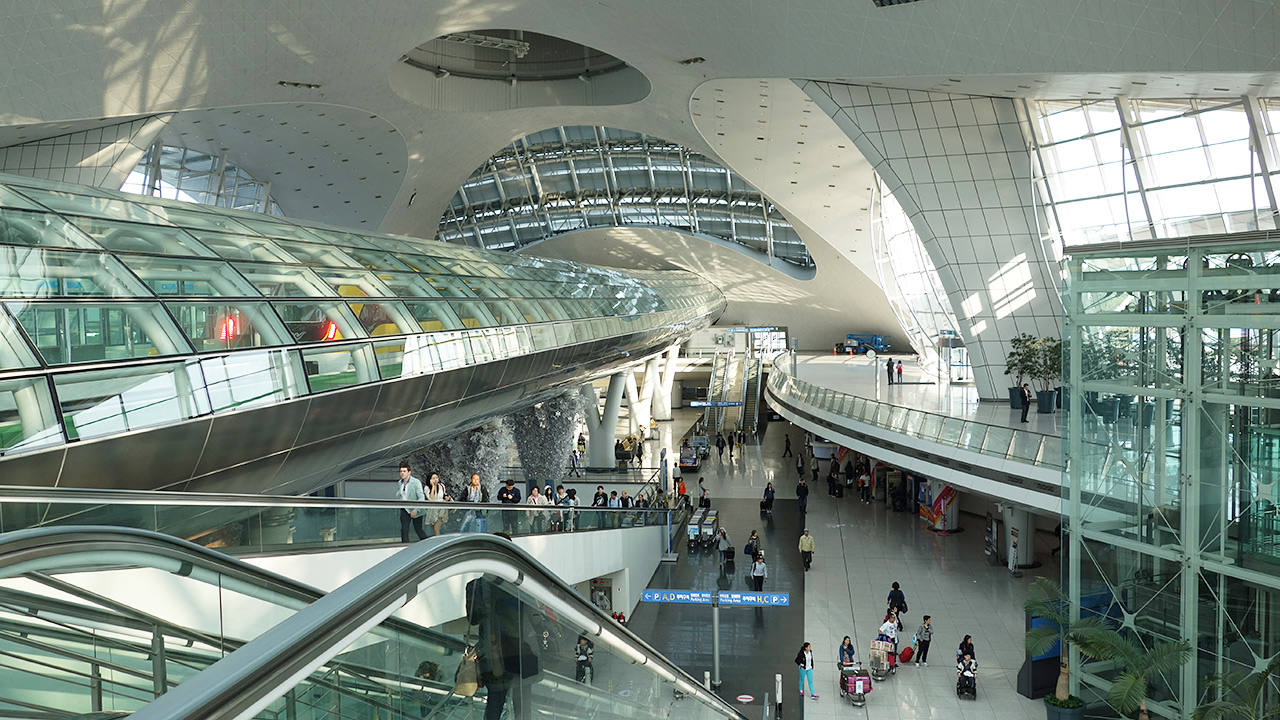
(1045, 600)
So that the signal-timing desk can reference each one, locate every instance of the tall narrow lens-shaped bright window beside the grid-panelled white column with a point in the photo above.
(913, 286)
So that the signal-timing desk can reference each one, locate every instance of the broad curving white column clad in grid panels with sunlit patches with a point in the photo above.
(962, 171)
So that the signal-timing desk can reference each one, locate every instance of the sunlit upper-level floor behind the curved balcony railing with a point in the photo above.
(863, 379)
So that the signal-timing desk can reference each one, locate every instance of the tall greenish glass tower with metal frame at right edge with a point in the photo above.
(1173, 454)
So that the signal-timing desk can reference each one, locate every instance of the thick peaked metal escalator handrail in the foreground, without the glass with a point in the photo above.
(266, 669)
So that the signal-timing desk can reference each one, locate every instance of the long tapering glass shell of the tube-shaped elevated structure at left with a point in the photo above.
(121, 312)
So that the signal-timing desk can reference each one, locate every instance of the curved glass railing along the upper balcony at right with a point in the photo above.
(996, 441)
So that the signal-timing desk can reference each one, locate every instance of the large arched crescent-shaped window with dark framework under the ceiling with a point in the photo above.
(577, 177)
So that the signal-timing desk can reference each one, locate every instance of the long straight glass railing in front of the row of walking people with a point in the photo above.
(253, 525)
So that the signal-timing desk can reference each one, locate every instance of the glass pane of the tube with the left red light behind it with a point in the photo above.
(230, 326)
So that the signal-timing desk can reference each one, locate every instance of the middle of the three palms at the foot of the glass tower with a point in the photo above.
(1136, 664)
